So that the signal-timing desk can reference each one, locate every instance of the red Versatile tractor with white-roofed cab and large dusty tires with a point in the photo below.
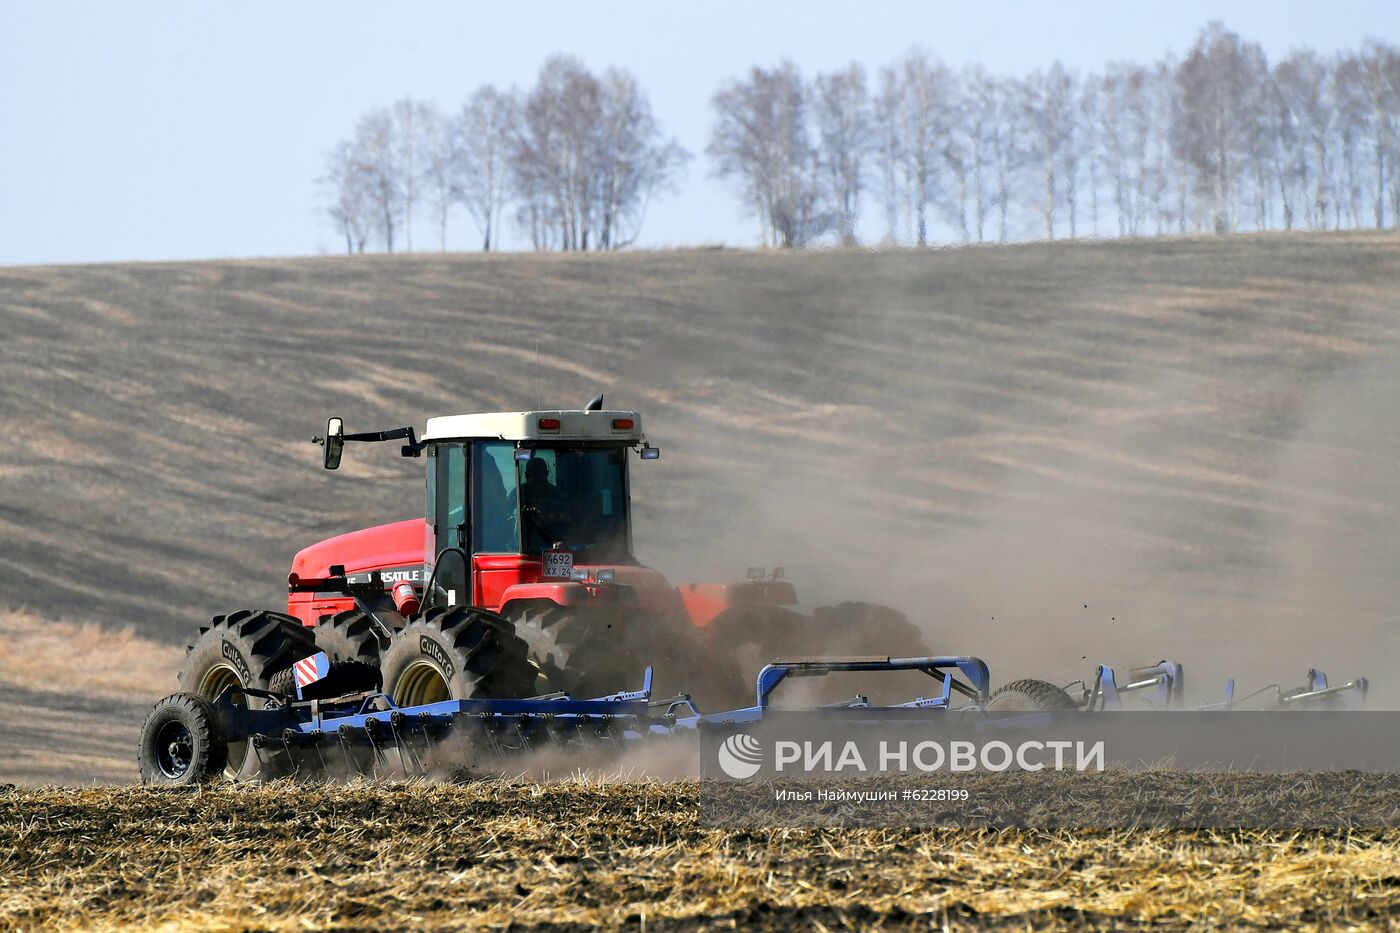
(520, 581)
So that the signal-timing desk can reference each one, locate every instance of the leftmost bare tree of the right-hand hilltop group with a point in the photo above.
(761, 144)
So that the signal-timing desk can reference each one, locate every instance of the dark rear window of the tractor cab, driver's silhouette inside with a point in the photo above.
(576, 499)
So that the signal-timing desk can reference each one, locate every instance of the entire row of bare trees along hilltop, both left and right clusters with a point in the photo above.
(1216, 141)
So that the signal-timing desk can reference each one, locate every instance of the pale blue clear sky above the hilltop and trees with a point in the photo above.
(183, 131)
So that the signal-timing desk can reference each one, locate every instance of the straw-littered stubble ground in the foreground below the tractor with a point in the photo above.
(579, 855)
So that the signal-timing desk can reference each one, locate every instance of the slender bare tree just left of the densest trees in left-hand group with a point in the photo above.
(485, 134)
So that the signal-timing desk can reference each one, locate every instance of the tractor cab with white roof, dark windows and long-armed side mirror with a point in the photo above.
(524, 505)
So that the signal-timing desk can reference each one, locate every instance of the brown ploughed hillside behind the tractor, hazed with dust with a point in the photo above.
(1048, 453)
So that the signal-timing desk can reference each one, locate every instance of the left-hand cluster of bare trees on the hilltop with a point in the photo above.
(577, 159)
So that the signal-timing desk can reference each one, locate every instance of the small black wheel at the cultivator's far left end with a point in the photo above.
(183, 743)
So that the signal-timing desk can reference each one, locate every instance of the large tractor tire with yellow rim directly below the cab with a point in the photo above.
(460, 654)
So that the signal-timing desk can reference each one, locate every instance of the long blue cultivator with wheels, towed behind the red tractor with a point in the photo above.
(258, 735)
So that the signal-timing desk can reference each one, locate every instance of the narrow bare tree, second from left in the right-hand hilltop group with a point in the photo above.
(843, 121)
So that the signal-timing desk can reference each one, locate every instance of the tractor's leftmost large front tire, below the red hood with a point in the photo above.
(244, 649)
